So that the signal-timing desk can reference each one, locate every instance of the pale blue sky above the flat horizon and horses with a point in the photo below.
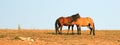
(41, 14)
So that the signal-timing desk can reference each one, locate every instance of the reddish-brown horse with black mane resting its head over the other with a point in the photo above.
(65, 21)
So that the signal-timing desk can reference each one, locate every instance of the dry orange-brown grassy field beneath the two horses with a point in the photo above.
(47, 37)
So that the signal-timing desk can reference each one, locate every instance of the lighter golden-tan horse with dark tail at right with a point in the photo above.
(85, 22)
